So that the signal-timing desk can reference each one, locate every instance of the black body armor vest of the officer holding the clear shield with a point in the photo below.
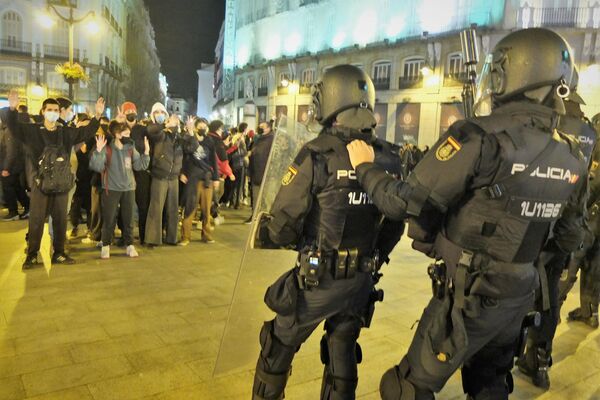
(342, 215)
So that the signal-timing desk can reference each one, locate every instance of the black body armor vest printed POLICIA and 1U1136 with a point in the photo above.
(510, 219)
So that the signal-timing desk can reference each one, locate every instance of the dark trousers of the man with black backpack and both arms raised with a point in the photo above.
(41, 206)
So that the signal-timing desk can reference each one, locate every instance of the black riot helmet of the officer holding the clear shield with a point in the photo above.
(345, 93)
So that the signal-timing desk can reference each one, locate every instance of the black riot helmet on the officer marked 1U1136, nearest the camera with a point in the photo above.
(528, 62)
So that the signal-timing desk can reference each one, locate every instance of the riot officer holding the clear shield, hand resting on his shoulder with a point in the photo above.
(322, 211)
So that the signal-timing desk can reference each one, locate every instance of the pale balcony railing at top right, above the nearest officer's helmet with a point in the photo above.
(559, 17)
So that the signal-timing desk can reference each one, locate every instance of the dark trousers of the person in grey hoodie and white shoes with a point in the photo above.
(111, 201)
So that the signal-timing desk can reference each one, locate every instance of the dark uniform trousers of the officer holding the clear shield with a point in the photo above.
(342, 304)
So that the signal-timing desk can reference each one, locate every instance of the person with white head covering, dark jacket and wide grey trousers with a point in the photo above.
(167, 158)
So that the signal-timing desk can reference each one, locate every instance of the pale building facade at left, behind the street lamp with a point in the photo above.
(111, 57)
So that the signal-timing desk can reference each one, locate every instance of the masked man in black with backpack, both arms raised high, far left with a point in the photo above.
(51, 144)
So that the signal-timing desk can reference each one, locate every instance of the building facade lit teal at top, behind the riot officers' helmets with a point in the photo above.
(411, 50)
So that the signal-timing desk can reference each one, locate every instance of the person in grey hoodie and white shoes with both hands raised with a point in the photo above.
(116, 162)
